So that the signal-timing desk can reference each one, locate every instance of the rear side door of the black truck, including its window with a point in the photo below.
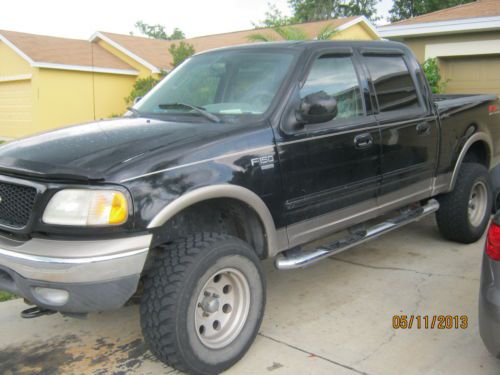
(409, 128)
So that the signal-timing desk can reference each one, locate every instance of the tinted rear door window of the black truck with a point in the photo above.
(393, 83)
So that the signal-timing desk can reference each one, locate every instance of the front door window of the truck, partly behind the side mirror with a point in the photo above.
(336, 76)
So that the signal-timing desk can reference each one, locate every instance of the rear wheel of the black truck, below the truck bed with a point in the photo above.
(464, 212)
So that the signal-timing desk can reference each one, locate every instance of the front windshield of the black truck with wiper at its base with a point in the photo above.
(234, 83)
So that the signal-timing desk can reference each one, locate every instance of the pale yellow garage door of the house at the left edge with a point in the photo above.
(15, 108)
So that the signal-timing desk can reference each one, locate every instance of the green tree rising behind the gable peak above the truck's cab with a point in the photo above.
(315, 10)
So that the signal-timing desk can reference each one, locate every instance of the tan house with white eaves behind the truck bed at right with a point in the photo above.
(465, 39)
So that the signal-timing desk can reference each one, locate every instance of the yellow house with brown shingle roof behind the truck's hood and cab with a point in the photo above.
(48, 82)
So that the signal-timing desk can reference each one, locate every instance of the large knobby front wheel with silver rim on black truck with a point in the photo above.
(203, 303)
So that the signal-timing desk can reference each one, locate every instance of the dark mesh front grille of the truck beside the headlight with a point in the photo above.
(16, 203)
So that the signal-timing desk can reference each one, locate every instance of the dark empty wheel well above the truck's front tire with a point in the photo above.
(221, 215)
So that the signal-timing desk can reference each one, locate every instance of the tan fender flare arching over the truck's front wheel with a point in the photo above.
(275, 240)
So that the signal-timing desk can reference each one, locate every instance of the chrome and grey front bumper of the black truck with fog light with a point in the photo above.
(94, 275)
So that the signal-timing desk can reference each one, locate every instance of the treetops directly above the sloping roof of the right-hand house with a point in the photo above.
(404, 9)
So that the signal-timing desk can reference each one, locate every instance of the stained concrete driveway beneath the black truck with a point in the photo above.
(332, 318)
